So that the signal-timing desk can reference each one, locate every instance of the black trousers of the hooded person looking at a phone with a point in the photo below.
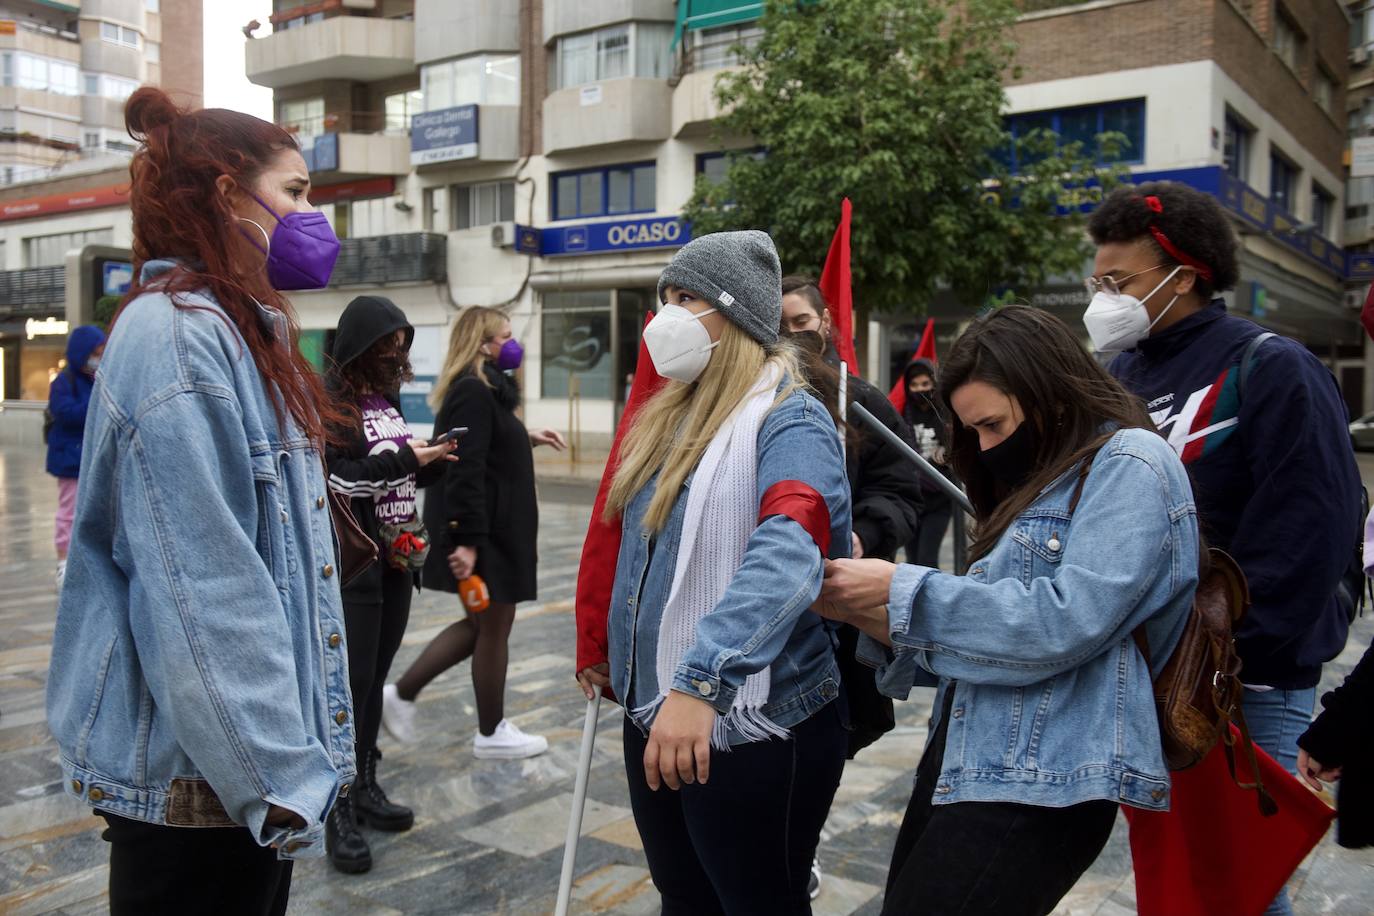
(374, 634)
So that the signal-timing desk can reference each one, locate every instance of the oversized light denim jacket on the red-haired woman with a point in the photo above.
(199, 667)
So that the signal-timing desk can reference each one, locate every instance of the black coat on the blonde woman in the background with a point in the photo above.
(487, 499)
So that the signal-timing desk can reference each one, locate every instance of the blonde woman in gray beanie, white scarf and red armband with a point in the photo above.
(732, 494)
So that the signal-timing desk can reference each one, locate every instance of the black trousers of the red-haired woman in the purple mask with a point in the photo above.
(218, 871)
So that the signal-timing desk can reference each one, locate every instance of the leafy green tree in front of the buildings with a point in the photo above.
(899, 106)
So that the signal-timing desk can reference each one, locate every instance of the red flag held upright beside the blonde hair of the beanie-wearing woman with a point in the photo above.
(601, 550)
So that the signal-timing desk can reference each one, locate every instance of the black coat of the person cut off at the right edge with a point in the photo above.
(1343, 737)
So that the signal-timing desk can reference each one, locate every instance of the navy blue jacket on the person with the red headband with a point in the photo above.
(1274, 479)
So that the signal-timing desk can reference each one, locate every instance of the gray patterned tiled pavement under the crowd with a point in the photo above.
(488, 836)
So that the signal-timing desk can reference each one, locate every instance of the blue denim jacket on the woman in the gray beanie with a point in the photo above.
(763, 620)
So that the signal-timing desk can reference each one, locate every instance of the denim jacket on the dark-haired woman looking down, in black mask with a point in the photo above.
(1053, 701)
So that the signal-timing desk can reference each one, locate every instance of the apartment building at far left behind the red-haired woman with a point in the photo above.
(67, 71)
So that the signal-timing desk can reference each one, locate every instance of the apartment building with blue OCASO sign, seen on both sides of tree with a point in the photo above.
(537, 156)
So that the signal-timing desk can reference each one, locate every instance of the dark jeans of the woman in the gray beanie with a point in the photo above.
(744, 843)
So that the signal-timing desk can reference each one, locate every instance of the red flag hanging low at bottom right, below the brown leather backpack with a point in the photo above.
(1213, 852)
